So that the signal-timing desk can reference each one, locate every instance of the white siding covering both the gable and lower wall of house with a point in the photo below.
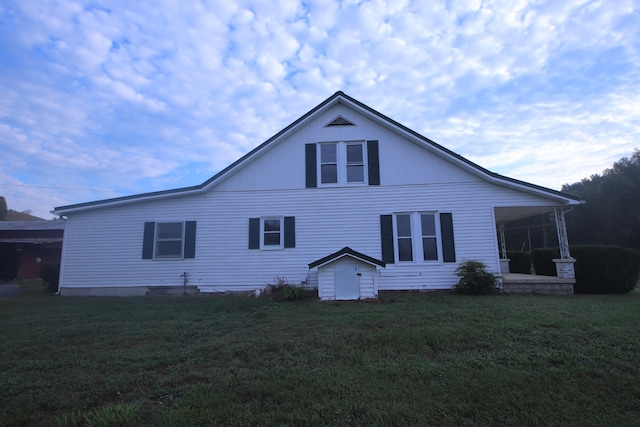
(103, 246)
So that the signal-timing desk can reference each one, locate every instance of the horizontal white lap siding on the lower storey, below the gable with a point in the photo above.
(104, 247)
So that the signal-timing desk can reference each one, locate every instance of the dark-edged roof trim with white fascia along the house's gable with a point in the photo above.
(338, 97)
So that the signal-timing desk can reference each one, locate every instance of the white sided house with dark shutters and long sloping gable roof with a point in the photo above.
(344, 199)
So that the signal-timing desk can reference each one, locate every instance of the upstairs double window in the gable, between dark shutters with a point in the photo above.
(342, 163)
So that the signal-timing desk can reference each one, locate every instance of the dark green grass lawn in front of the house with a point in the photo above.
(413, 359)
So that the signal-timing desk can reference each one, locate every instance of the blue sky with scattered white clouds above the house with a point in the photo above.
(101, 99)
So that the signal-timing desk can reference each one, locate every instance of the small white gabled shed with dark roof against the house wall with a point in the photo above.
(347, 275)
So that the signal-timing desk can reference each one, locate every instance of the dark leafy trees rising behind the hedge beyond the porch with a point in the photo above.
(611, 214)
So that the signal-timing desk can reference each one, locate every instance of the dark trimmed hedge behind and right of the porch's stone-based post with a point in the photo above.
(600, 269)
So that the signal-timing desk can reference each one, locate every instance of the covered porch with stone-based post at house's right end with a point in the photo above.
(520, 283)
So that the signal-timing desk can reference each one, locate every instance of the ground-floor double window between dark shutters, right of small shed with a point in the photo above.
(416, 237)
